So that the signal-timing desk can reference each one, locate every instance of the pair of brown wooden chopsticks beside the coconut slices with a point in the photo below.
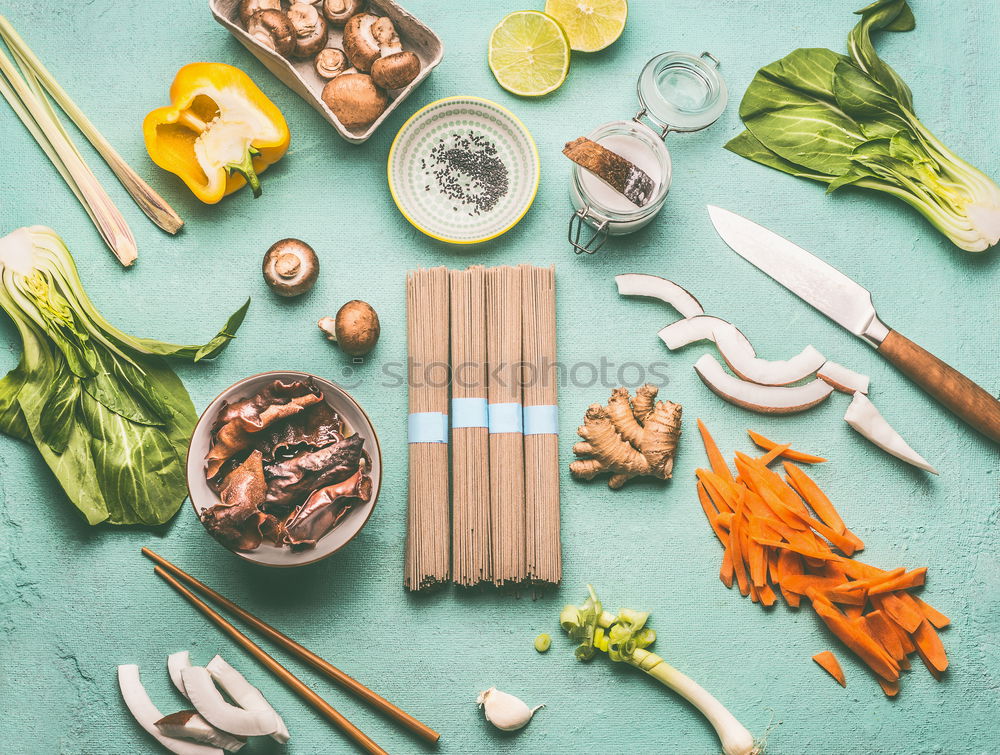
(174, 576)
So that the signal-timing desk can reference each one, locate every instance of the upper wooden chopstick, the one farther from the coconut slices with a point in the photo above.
(351, 685)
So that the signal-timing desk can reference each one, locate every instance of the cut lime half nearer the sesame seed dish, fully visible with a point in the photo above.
(529, 53)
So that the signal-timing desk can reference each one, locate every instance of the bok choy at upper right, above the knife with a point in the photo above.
(849, 120)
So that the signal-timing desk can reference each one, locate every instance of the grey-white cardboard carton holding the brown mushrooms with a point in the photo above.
(301, 76)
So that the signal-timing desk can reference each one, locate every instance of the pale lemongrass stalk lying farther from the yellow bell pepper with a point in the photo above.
(108, 220)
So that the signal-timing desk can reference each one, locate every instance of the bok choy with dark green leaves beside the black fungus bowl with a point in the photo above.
(108, 415)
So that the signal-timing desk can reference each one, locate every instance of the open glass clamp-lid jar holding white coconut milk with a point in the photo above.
(677, 92)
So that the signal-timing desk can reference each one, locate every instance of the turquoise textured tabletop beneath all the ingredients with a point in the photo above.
(75, 601)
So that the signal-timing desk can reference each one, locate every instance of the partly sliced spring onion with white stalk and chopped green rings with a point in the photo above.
(624, 638)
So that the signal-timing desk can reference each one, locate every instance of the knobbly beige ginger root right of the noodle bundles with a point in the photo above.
(628, 438)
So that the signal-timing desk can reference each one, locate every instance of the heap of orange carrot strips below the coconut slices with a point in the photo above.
(775, 541)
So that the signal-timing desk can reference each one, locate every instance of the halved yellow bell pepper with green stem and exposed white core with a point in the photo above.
(218, 133)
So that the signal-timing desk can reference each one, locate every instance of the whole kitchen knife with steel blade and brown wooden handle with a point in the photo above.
(850, 306)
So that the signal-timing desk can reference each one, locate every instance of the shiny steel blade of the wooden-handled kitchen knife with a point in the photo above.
(823, 286)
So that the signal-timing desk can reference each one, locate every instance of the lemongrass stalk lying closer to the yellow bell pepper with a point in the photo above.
(149, 201)
